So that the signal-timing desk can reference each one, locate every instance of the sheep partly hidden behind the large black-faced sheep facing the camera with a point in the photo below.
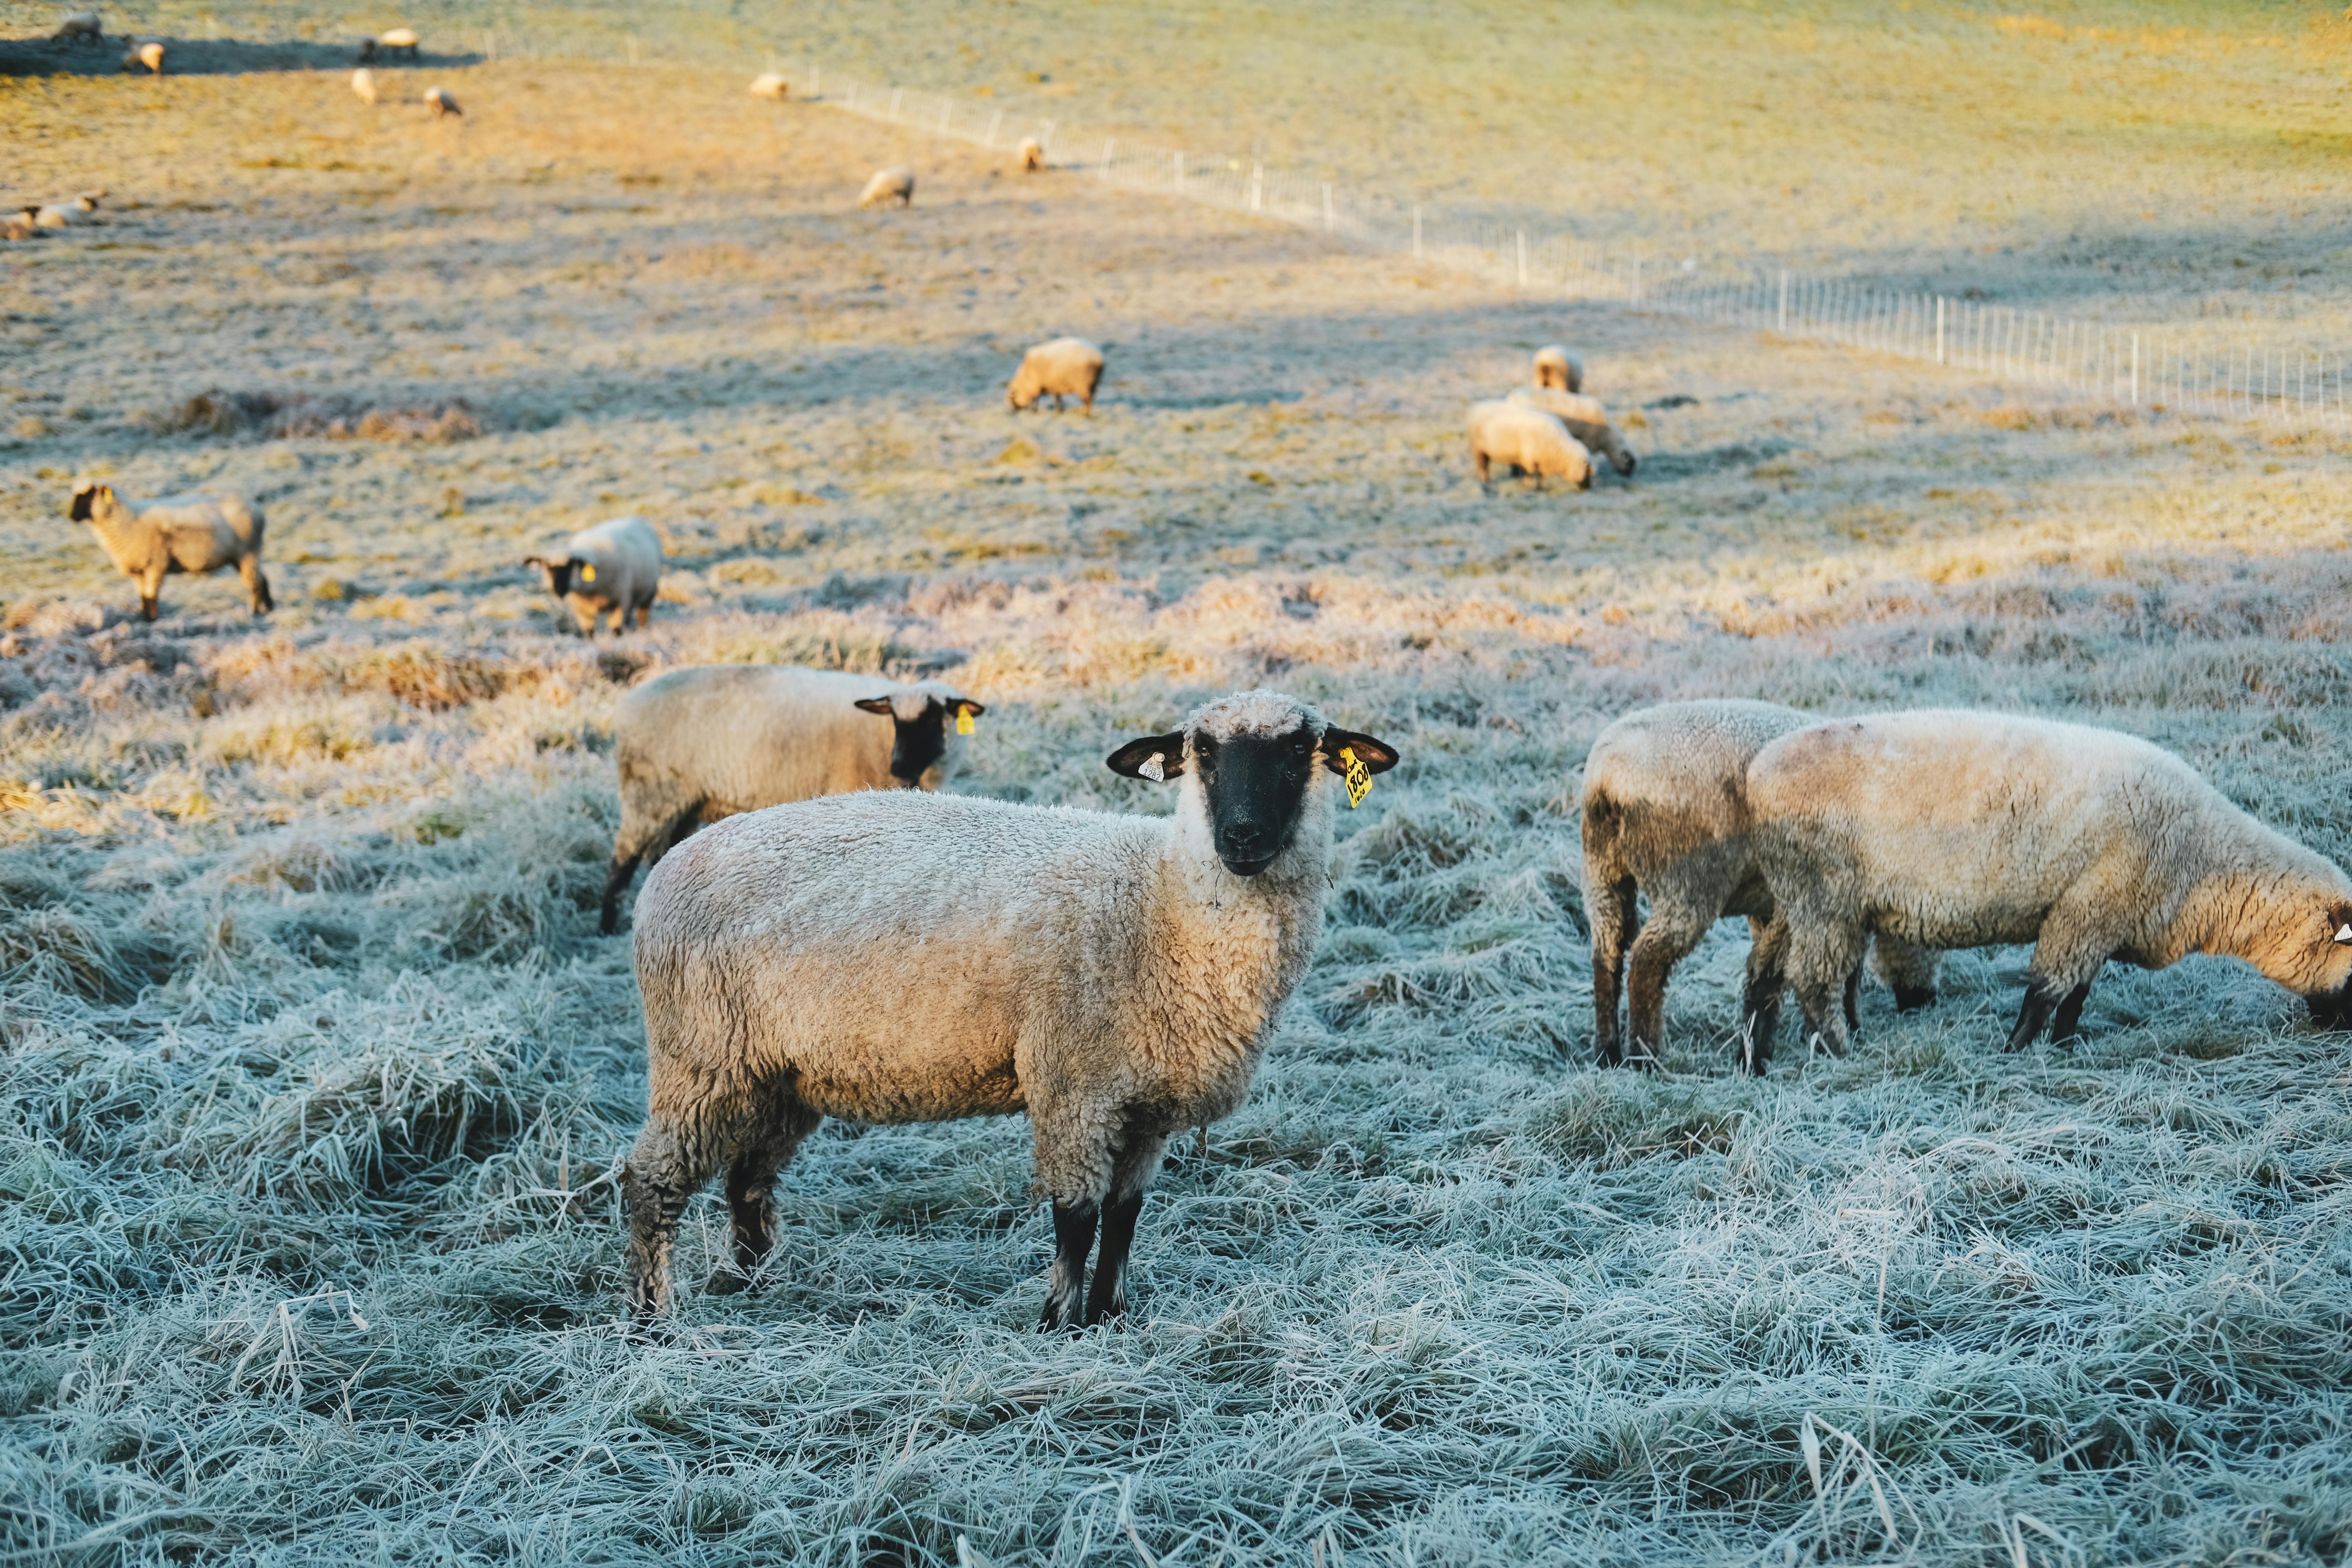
(707, 744)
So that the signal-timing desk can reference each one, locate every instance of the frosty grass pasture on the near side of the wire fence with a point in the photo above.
(316, 1071)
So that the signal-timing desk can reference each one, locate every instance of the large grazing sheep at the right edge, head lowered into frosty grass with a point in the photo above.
(1979, 829)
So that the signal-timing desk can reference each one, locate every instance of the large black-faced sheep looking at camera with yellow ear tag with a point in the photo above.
(916, 958)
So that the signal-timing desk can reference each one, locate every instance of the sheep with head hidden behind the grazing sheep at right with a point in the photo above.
(1664, 815)
